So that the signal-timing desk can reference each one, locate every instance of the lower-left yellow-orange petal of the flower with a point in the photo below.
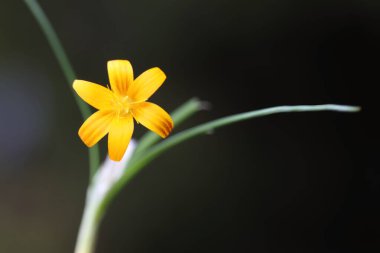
(96, 127)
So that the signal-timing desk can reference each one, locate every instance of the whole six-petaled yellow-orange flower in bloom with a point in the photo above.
(119, 105)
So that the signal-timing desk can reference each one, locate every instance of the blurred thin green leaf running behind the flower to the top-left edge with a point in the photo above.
(67, 70)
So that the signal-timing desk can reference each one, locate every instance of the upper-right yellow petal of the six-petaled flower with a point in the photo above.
(146, 84)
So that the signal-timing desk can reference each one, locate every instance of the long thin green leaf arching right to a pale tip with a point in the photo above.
(137, 164)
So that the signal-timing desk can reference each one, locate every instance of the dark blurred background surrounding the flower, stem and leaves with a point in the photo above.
(307, 182)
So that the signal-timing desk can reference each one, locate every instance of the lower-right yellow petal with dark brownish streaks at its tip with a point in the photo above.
(153, 117)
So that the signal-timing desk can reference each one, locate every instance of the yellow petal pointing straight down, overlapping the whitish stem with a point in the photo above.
(119, 136)
